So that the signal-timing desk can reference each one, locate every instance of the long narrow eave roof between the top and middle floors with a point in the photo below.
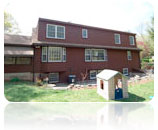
(43, 43)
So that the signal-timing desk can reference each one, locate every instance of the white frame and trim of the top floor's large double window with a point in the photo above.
(55, 31)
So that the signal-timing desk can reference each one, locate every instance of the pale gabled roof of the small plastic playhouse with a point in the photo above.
(107, 74)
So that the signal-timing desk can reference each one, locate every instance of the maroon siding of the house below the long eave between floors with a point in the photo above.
(75, 63)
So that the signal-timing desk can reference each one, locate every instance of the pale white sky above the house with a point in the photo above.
(123, 15)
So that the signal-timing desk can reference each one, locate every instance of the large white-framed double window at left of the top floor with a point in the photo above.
(55, 31)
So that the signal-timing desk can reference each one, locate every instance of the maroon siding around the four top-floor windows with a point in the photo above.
(73, 34)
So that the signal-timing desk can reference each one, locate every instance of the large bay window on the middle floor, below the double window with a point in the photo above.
(55, 54)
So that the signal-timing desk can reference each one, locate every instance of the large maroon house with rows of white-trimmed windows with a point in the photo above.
(61, 49)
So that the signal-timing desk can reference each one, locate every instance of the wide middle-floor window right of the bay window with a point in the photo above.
(95, 55)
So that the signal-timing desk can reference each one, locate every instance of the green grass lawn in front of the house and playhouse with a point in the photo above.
(28, 92)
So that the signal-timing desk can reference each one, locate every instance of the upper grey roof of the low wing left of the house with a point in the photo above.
(17, 40)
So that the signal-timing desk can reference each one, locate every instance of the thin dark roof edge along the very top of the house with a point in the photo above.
(84, 26)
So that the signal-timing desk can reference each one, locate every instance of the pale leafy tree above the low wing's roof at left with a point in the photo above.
(10, 25)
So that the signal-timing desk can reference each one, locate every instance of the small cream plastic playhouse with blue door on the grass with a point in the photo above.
(112, 84)
